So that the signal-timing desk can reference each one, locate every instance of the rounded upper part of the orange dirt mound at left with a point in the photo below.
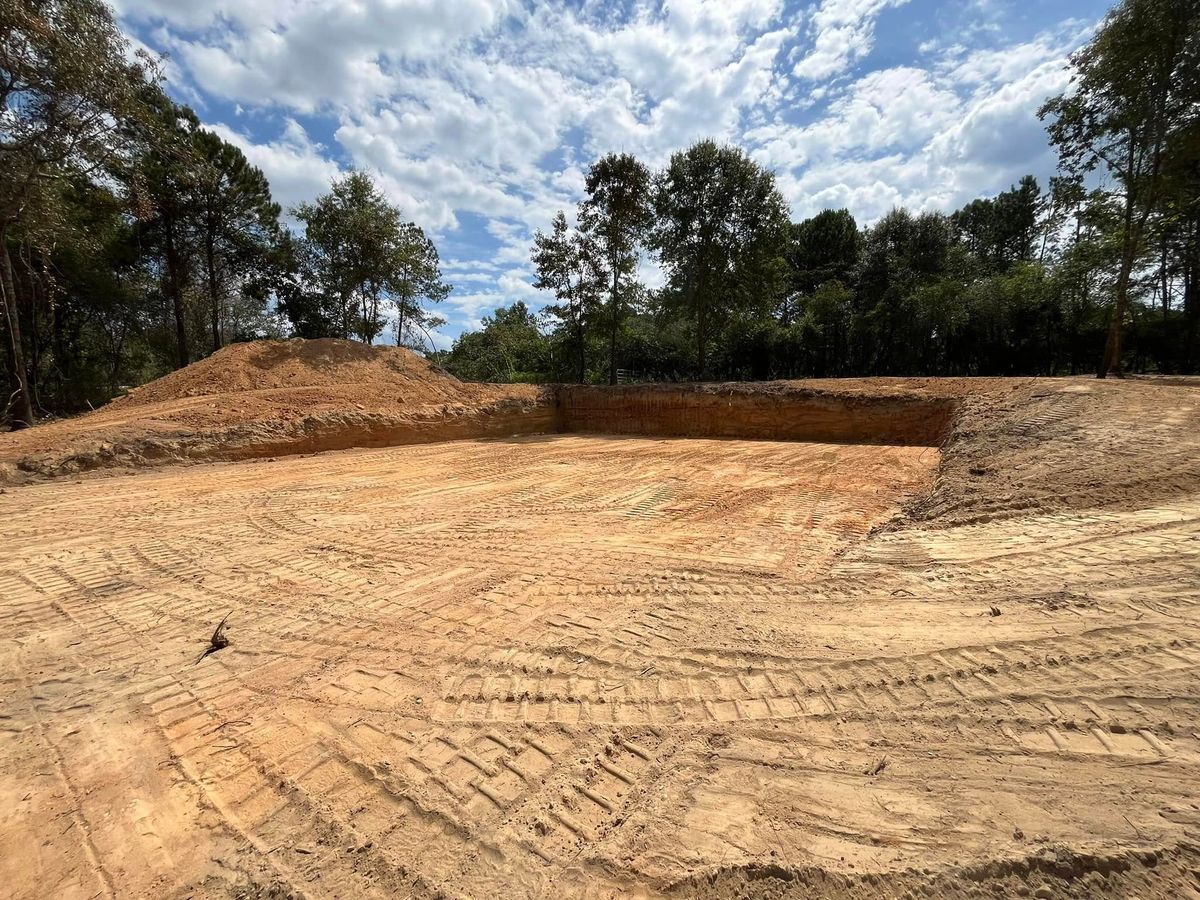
(275, 365)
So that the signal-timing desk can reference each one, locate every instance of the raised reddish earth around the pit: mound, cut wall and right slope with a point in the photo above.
(1010, 445)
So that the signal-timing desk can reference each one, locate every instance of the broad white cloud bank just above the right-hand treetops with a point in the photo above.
(926, 139)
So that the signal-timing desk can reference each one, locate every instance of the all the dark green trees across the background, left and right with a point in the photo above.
(134, 241)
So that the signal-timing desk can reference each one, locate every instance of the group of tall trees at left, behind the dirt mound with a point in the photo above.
(134, 241)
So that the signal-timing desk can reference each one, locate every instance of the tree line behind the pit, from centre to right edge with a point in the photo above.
(1095, 273)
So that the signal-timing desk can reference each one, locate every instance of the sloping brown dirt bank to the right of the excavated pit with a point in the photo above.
(1021, 447)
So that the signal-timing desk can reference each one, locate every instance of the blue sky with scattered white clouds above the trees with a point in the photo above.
(481, 117)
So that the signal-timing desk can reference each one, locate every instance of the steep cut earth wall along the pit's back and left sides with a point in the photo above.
(771, 412)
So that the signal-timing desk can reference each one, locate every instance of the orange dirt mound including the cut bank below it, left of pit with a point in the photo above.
(277, 398)
